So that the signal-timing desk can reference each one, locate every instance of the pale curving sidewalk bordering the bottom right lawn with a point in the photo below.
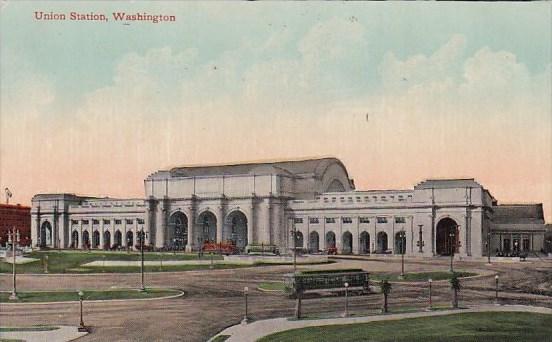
(253, 331)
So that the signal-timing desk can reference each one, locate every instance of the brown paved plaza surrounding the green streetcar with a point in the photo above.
(214, 301)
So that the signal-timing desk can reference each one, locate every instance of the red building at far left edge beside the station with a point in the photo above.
(17, 216)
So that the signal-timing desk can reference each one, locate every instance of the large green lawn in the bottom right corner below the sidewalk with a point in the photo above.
(481, 326)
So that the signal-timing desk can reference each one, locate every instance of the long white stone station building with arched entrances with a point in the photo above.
(266, 204)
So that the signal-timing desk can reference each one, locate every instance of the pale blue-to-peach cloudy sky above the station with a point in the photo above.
(400, 92)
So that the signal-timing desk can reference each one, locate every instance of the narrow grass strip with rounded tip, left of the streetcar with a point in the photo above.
(63, 296)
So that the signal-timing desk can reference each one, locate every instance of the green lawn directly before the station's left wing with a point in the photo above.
(71, 261)
